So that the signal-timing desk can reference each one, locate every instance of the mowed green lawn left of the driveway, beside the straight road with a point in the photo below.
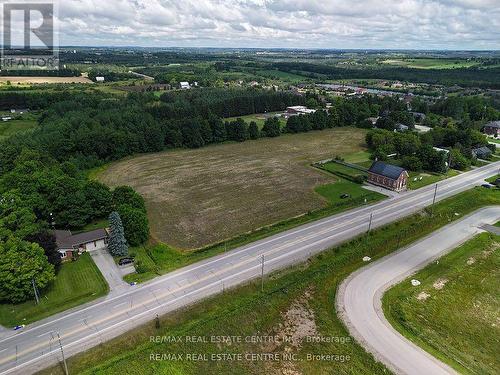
(76, 283)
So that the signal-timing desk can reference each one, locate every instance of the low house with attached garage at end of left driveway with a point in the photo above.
(68, 243)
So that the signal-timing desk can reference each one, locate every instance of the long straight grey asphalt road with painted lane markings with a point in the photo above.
(37, 346)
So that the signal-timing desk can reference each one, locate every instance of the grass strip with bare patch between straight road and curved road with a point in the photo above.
(297, 302)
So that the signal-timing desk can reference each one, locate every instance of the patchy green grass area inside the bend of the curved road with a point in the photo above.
(455, 313)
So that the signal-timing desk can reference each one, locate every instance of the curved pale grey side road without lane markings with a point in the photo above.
(359, 296)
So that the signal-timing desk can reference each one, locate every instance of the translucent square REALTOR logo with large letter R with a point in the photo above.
(28, 36)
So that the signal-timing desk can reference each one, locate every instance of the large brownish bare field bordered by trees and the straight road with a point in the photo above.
(198, 197)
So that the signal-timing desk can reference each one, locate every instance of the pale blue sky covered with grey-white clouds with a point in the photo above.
(336, 24)
